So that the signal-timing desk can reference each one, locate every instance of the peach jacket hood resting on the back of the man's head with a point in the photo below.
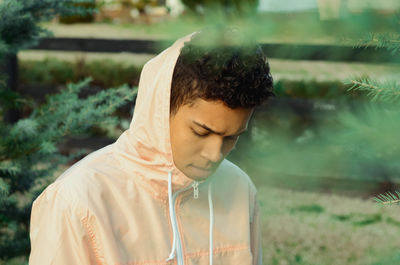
(144, 150)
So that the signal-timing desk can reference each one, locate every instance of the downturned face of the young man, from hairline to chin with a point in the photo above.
(202, 135)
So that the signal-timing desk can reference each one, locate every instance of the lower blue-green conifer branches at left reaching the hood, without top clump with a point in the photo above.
(29, 154)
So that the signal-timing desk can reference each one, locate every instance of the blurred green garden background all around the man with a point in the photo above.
(319, 152)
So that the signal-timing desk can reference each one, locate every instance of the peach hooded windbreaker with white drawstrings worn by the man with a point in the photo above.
(114, 206)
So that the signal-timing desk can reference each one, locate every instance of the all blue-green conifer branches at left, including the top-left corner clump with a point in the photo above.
(28, 147)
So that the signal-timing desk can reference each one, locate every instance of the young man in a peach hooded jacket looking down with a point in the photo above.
(163, 192)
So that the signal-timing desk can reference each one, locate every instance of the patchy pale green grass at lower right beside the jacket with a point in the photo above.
(316, 229)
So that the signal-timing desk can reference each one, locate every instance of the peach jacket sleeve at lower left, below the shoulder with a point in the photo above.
(58, 233)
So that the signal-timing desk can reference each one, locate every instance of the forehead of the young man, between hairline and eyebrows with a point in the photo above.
(216, 115)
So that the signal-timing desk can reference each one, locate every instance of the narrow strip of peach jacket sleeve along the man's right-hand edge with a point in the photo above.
(255, 232)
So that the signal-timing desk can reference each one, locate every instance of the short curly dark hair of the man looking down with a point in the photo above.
(238, 75)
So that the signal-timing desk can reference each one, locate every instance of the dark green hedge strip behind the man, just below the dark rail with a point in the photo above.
(110, 73)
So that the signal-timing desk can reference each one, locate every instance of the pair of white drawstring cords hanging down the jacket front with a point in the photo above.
(173, 221)
